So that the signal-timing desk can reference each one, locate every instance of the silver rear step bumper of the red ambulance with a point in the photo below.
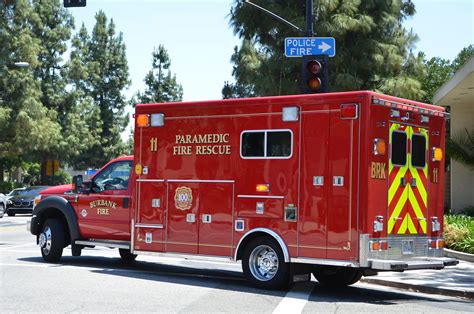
(416, 263)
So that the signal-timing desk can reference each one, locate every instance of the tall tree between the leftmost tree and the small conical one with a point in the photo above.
(99, 72)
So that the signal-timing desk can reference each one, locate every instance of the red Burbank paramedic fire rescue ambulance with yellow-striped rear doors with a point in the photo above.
(339, 185)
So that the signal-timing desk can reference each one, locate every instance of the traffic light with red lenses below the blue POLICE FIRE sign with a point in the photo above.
(315, 74)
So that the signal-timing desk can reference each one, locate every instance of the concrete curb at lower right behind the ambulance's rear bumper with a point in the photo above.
(419, 288)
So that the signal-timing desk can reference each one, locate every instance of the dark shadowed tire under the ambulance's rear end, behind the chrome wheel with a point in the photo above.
(337, 277)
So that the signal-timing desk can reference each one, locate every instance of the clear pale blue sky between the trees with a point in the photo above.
(200, 41)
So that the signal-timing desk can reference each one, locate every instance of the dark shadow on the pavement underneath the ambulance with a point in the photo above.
(226, 280)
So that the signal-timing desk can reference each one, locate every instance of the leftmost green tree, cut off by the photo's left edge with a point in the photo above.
(28, 129)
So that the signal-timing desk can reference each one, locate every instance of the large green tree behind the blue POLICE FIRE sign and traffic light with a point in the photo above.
(373, 48)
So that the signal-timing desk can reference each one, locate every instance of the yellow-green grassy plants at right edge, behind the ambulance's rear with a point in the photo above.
(459, 233)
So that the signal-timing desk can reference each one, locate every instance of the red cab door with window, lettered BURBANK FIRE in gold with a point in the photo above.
(103, 210)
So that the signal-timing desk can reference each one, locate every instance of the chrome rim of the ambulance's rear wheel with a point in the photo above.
(263, 263)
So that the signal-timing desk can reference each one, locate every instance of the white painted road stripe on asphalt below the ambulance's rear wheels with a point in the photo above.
(295, 300)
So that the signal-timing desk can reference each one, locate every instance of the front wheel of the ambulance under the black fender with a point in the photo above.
(51, 240)
